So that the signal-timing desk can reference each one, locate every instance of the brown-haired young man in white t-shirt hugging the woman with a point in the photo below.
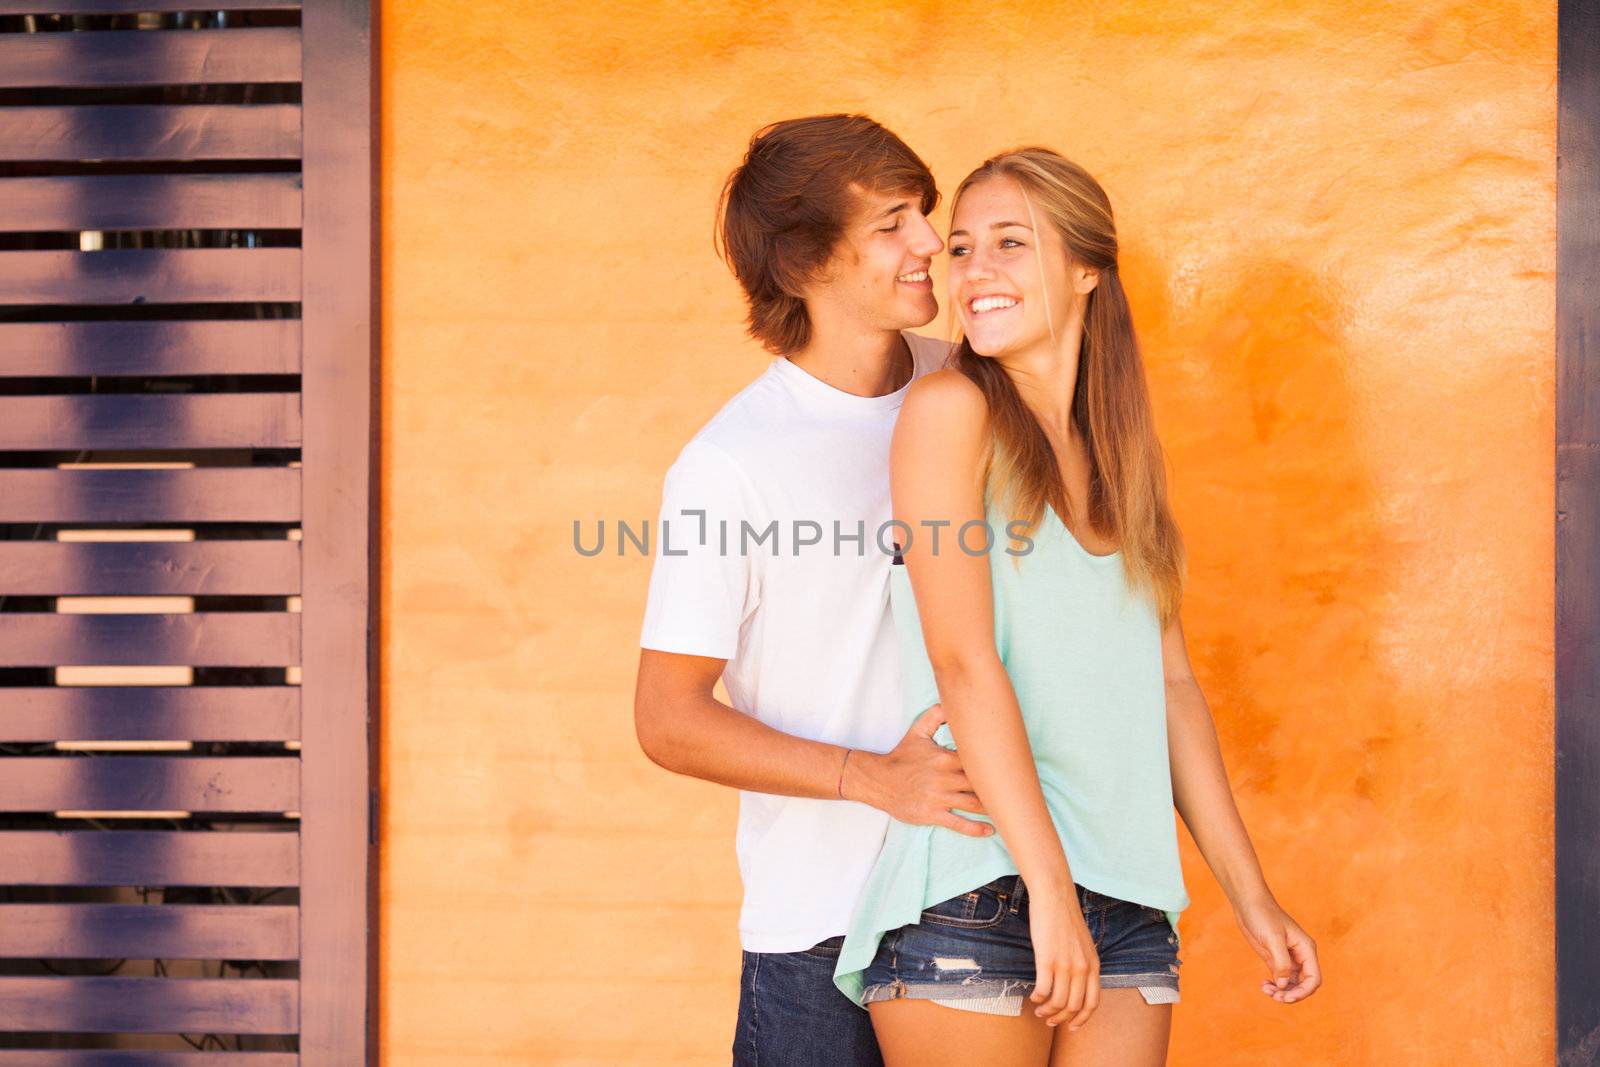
(772, 572)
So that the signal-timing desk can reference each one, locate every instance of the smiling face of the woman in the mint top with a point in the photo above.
(1002, 300)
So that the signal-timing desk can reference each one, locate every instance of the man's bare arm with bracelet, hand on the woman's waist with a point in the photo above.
(686, 729)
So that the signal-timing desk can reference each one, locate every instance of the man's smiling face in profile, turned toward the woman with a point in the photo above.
(879, 274)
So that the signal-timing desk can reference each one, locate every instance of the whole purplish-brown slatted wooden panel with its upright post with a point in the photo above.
(55, 417)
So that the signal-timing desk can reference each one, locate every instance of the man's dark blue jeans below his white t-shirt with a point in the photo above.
(791, 1015)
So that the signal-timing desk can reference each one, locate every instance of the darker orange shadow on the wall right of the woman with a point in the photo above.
(1290, 573)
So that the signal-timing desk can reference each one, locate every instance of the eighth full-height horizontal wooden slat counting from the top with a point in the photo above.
(129, 569)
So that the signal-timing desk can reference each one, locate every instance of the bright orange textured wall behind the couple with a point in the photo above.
(1338, 230)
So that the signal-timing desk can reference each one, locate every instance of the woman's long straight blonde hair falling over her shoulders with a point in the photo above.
(1111, 402)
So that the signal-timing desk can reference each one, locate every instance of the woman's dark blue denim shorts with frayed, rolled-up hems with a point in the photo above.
(975, 951)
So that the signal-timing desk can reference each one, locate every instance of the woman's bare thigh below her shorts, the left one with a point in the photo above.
(924, 1034)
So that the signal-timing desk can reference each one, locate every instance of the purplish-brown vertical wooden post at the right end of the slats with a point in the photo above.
(340, 310)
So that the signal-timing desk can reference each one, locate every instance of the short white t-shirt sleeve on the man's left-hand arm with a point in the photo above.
(702, 586)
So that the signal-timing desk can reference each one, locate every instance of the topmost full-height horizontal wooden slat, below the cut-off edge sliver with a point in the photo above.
(250, 54)
